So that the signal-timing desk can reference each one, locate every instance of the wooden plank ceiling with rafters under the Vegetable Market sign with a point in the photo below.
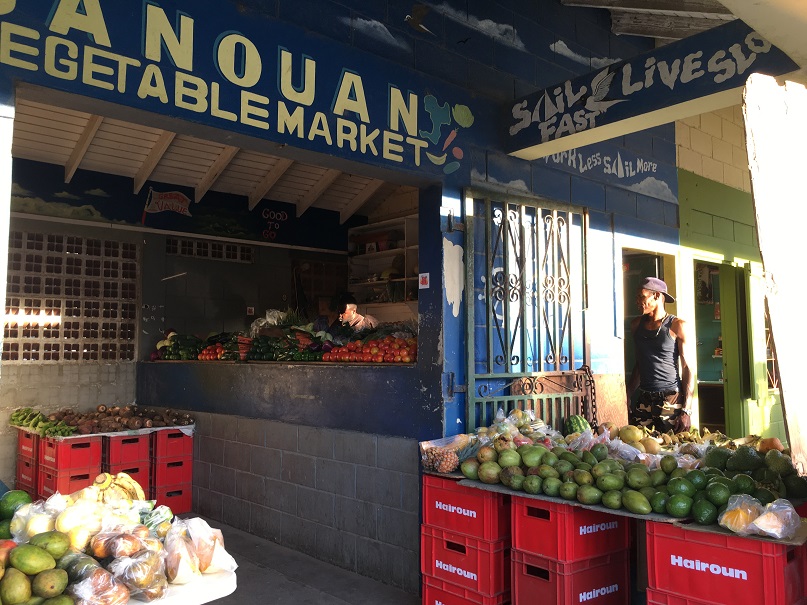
(83, 141)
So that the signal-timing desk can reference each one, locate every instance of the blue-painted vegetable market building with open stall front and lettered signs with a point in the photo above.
(186, 168)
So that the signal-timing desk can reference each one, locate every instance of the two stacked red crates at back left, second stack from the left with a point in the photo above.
(67, 464)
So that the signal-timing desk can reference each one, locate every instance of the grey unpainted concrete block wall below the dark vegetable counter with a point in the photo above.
(349, 498)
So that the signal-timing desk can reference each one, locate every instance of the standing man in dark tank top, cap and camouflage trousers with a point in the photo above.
(661, 373)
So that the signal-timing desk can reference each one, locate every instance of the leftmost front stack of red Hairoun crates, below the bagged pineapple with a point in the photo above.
(465, 544)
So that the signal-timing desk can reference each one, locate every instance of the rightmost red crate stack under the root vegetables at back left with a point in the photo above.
(172, 469)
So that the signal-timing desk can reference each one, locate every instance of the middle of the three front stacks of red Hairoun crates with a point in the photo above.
(564, 554)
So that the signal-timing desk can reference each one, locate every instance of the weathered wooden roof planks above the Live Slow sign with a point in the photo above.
(663, 20)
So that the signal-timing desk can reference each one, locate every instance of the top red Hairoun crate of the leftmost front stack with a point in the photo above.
(465, 510)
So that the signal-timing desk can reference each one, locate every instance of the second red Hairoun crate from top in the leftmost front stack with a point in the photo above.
(477, 565)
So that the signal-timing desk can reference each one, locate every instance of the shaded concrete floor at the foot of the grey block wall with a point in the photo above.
(270, 574)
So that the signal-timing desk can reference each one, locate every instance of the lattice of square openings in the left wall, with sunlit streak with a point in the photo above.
(70, 299)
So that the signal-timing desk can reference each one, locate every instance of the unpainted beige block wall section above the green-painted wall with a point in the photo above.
(712, 145)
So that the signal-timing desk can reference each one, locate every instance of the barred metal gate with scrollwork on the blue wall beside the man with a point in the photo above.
(525, 287)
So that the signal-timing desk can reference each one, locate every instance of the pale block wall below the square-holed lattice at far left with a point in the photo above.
(49, 387)
